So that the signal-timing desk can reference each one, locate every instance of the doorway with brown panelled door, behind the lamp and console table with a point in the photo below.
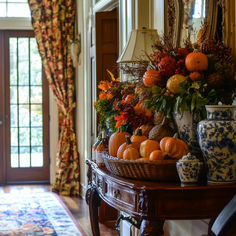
(103, 56)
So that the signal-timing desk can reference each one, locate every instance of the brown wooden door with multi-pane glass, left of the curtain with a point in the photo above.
(24, 107)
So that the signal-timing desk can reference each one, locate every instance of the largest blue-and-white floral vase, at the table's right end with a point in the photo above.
(217, 139)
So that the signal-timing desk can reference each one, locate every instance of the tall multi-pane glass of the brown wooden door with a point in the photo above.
(26, 103)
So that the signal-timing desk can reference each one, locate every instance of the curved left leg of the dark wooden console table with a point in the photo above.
(93, 200)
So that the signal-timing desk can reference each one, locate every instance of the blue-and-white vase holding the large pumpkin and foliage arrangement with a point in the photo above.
(186, 124)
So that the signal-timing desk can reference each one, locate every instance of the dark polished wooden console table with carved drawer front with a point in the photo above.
(153, 202)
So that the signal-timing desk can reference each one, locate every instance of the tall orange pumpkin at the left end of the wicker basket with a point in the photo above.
(115, 141)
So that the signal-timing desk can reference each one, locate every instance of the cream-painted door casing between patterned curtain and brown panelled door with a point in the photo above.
(86, 13)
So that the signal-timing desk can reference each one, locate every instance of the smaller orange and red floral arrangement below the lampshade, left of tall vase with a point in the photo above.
(118, 107)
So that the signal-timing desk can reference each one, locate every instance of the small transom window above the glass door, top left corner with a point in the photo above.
(14, 8)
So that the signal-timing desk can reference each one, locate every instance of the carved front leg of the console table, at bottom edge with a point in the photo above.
(151, 228)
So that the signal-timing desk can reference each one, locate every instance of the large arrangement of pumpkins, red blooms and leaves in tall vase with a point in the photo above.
(192, 76)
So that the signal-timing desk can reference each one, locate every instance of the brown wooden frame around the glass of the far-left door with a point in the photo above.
(5, 80)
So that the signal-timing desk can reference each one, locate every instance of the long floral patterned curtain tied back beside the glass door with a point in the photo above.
(54, 23)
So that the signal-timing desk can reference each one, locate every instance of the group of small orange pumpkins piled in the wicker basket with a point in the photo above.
(139, 147)
